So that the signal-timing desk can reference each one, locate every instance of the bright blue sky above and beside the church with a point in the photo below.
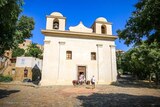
(115, 11)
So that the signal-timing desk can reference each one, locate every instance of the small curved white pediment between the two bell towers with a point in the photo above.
(80, 28)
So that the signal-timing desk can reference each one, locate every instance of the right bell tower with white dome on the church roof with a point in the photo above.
(101, 26)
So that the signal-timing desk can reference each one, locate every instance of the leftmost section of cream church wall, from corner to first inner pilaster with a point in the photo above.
(50, 63)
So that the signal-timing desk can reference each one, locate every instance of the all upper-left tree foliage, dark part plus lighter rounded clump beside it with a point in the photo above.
(13, 30)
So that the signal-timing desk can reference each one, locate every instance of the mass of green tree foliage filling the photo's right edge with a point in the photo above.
(143, 59)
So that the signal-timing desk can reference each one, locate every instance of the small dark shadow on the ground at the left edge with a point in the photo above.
(6, 93)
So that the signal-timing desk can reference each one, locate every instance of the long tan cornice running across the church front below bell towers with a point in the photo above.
(69, 34)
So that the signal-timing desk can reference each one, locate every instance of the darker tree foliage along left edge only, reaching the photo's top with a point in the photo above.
(9, 12)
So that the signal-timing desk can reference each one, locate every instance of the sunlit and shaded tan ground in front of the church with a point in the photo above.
(19, 95)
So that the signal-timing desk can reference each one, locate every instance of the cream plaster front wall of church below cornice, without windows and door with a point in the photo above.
(59, 71)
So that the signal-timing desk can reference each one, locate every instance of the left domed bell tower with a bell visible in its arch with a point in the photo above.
(56, 21)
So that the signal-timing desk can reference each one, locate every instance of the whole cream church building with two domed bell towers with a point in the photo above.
(69, 53)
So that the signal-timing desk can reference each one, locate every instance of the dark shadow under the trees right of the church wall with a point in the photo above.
(128, 81)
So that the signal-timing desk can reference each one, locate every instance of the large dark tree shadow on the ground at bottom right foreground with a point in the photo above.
(118, 100)
